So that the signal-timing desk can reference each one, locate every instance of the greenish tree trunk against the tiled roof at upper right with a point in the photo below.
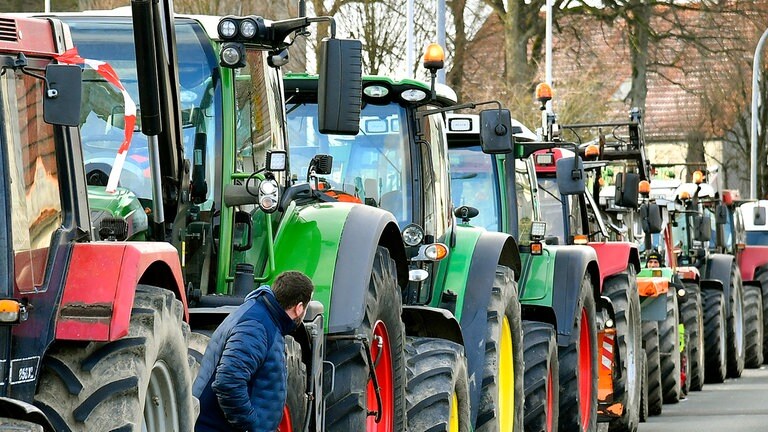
(638, 49)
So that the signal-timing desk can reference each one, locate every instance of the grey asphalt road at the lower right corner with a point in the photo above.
(738, 405)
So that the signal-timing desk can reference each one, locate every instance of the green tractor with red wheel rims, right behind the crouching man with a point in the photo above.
(209, 173)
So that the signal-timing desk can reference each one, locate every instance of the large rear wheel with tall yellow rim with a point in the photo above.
(501, 401)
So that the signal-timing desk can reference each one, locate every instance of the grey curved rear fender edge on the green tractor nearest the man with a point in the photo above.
(366, 228)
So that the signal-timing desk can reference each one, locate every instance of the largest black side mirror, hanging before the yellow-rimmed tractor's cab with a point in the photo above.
(340, 87)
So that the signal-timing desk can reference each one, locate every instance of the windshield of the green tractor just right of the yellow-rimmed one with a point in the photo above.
(472, 184)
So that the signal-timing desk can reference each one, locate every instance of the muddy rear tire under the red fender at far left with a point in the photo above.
(139, 382)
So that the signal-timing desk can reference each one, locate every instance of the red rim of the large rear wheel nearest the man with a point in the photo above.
(381, 354)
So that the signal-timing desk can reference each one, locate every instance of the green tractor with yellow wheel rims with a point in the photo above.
(461, 314)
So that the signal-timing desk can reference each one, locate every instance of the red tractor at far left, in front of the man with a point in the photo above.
(94, 333)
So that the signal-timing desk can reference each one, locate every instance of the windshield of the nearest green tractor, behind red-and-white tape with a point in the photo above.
(102, 118)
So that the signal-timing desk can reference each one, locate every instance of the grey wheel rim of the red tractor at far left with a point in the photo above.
(160, 409)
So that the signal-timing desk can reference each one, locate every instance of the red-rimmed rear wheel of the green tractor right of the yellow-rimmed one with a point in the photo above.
(578, 368)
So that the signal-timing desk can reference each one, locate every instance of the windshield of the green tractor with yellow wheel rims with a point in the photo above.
(368, 168)
